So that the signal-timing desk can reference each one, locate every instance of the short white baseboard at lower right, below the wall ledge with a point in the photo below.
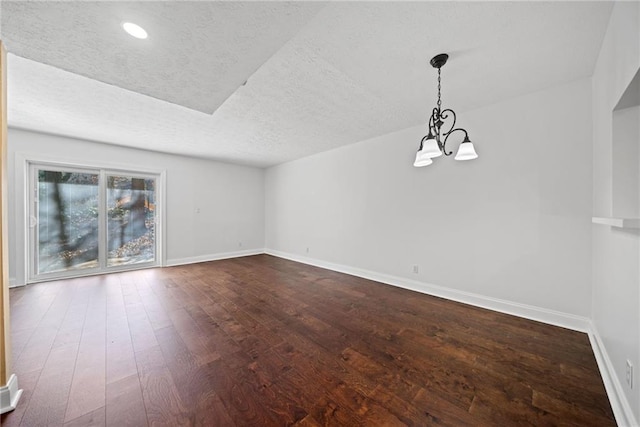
(619, 403)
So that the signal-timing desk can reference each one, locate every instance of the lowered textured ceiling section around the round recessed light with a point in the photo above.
(197, 55)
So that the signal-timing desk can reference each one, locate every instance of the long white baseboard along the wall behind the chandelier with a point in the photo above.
(552, 317)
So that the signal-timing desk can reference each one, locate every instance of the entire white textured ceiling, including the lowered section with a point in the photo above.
(320, 75)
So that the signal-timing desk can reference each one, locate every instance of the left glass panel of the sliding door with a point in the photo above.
(67, 221)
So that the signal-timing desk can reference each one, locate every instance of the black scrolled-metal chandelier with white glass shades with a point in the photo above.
(435, 143)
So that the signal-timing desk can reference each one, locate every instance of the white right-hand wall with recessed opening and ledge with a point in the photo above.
(616, 252)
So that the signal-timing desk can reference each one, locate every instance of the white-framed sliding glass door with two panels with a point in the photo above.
(85, 221)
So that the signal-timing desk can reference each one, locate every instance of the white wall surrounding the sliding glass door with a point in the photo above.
(230, 197)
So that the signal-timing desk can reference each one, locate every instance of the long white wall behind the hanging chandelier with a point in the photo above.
(513, 225)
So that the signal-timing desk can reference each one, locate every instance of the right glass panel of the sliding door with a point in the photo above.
(131, 220)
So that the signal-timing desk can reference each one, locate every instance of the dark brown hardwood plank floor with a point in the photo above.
(261, 341)
